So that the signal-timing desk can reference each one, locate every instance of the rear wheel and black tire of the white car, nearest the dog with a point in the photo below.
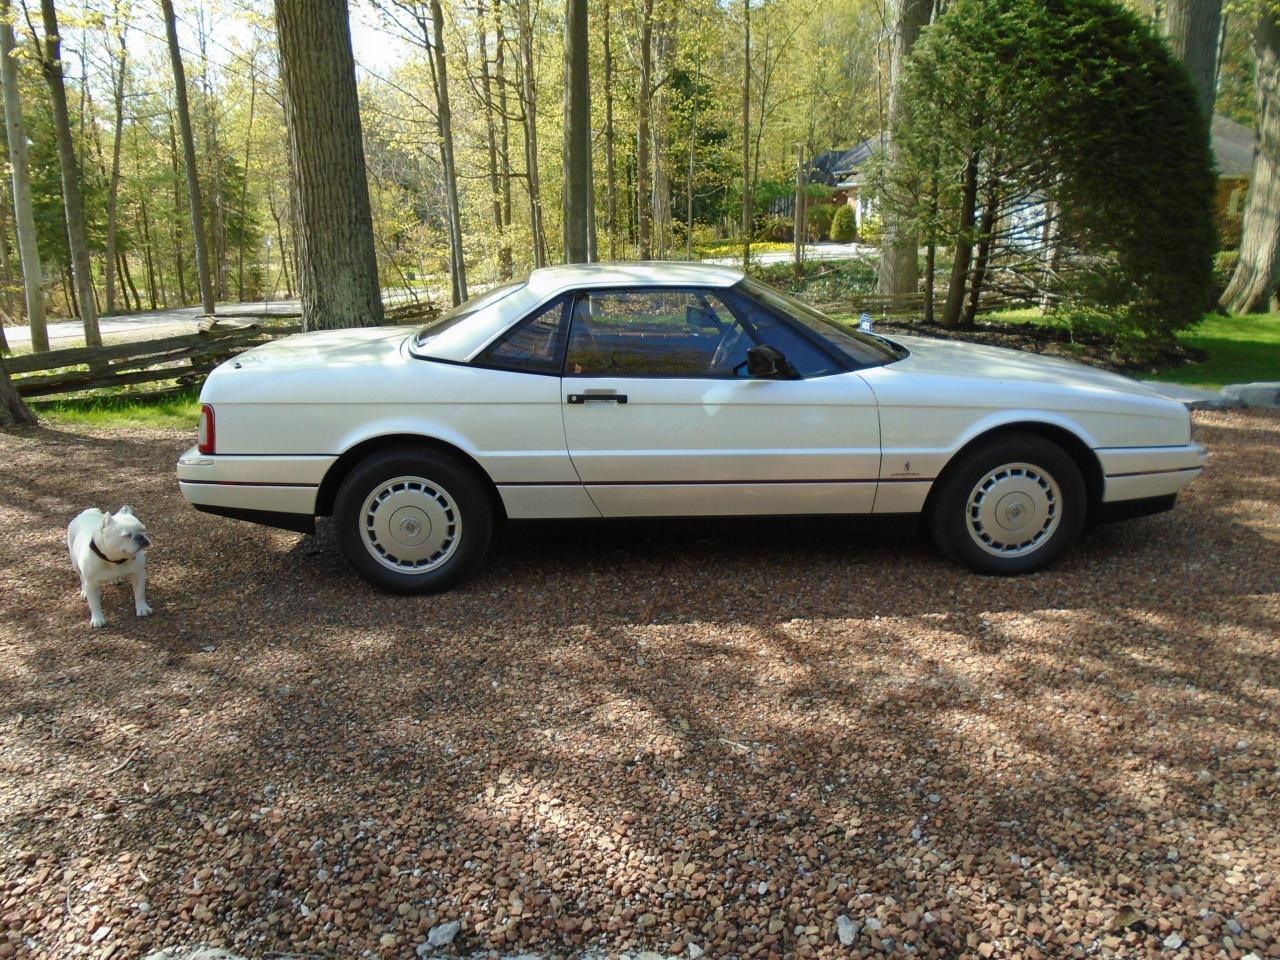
(444, 520)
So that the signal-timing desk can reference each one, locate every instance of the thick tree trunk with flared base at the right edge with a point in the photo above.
(1254, 285)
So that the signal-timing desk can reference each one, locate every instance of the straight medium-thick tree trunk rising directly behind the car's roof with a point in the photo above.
(578, 136)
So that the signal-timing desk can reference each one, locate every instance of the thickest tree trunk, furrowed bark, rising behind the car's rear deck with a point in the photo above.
(336, 237)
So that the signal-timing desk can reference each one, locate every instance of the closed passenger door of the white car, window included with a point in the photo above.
(662, 420)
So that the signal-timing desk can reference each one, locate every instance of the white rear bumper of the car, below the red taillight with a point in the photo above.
(254, 488)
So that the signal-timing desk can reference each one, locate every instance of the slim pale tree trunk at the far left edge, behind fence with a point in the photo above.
(25, 220)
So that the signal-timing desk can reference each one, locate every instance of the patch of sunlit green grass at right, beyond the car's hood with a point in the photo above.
(1241, 350)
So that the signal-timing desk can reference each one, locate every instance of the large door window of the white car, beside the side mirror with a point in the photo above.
(661, 332)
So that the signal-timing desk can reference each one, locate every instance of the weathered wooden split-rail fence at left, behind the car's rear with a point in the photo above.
(164, 365)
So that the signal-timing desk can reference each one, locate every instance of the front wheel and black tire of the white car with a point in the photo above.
(1023, 520)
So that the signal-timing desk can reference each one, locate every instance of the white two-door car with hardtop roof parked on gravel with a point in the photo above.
(670, 391)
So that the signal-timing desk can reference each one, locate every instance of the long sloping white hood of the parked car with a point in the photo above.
(961, 359)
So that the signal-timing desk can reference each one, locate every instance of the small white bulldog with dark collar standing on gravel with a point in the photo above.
(106, 548)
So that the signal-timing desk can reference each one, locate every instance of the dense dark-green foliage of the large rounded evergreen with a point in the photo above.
(1081, 108)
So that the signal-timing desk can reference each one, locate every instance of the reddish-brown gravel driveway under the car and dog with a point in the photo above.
(753, 740)
